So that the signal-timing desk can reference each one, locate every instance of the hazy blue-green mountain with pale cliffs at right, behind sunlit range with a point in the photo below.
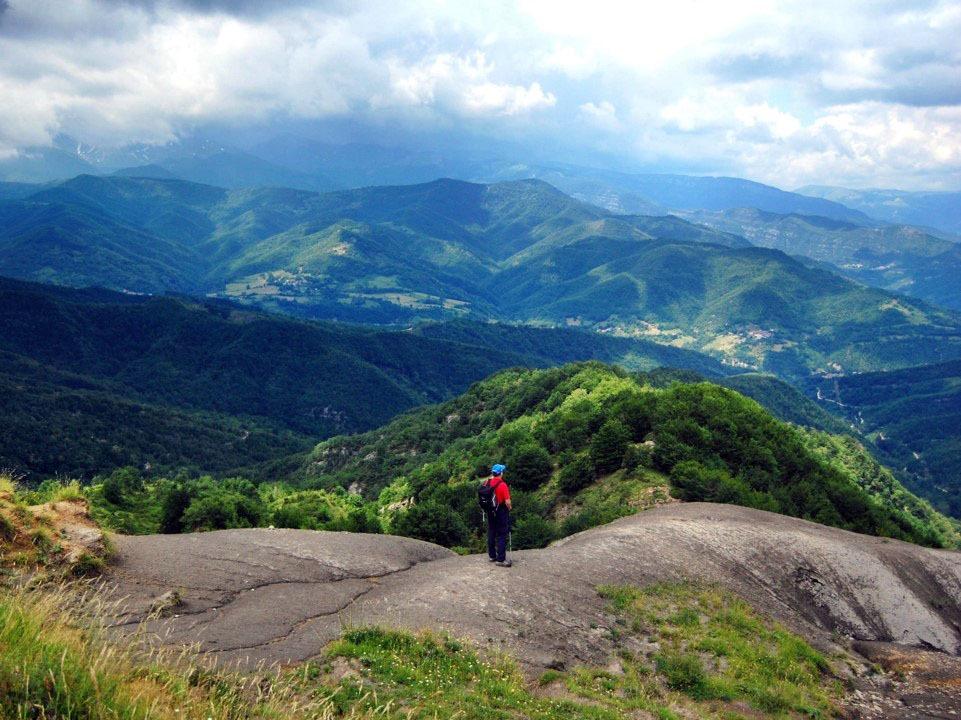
(900, 258)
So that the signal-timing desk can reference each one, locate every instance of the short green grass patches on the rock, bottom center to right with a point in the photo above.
(715, 657)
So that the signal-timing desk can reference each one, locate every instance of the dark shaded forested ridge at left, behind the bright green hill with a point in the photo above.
(191, 372)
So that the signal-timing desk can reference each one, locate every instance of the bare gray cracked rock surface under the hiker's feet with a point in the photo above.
(281, 595)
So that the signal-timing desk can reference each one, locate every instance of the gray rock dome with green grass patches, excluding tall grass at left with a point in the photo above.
(638, 598)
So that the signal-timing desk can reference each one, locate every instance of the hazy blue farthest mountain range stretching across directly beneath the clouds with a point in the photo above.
(288, 160)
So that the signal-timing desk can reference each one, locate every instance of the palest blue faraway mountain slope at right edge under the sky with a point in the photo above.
(941, 210)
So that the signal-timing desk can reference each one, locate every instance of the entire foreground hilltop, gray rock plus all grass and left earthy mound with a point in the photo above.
(644, 615)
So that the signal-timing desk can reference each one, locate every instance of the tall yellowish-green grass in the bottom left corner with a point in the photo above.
(56, 665)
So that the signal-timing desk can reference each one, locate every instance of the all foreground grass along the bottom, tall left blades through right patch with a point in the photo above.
(715, 657)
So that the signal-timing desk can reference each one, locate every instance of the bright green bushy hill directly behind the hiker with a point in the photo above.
(587, 443)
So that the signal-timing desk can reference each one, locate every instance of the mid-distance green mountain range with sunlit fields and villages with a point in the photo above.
(516, 251)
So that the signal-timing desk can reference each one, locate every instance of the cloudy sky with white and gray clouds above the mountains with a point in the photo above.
(862, 93)
